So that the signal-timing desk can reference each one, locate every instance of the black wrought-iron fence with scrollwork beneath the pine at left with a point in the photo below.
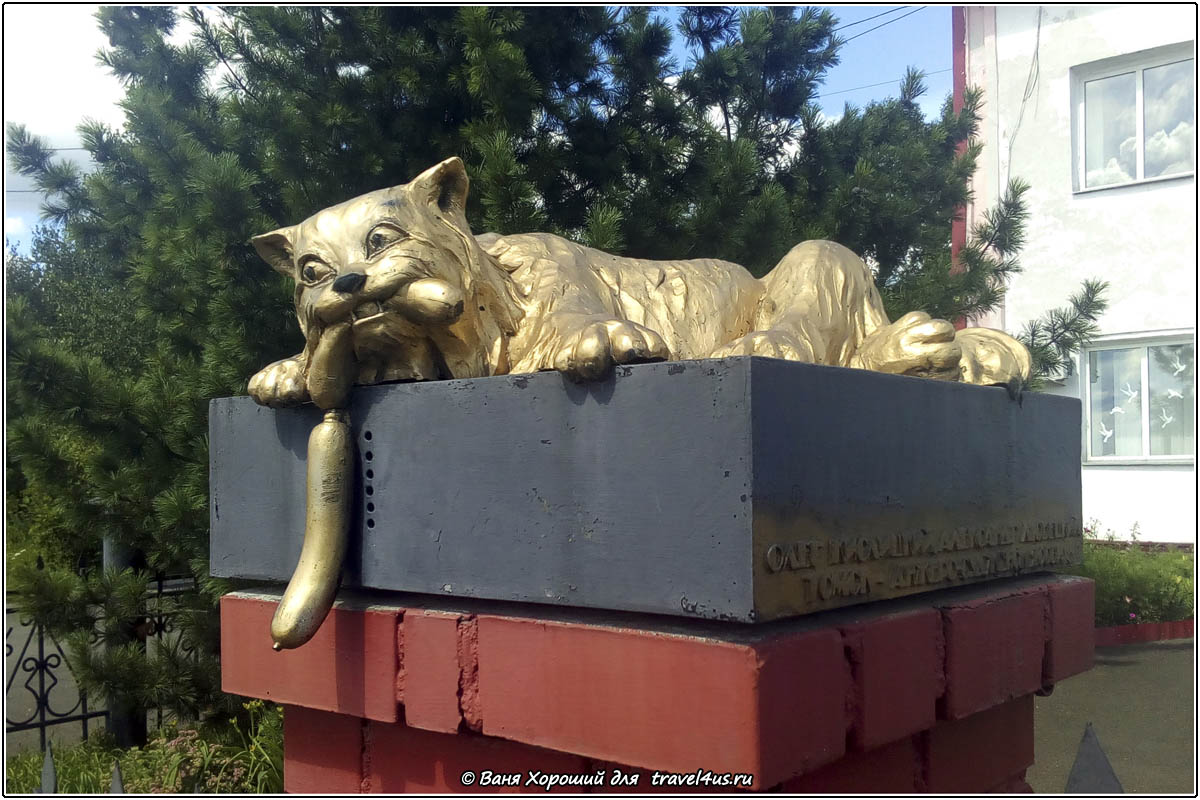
(38, 695)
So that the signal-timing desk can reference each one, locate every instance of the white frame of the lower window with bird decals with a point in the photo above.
(1127, 342)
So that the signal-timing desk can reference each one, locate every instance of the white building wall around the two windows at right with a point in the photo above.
(1142, 239)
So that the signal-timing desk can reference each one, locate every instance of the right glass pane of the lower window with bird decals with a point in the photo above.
(1173, 371)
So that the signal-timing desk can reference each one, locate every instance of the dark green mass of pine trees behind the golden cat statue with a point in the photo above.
(572, 121)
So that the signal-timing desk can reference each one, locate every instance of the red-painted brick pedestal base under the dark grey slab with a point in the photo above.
(933, 694)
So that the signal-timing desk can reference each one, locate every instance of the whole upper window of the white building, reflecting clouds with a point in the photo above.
(1136, 118)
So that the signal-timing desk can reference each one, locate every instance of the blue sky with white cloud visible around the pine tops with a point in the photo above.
(50, 52)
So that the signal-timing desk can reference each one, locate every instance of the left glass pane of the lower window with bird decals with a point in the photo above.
(1117, 402)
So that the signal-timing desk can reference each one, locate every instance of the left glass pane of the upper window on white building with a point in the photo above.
(1111, 130)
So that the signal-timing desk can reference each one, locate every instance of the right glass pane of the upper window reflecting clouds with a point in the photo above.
(1168, 95)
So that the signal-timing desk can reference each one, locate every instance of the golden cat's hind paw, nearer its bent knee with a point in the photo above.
(915, 345)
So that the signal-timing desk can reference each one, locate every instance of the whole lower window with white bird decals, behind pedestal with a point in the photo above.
(1141, 402)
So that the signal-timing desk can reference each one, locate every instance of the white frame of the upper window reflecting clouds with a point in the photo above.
(1136, 63)
